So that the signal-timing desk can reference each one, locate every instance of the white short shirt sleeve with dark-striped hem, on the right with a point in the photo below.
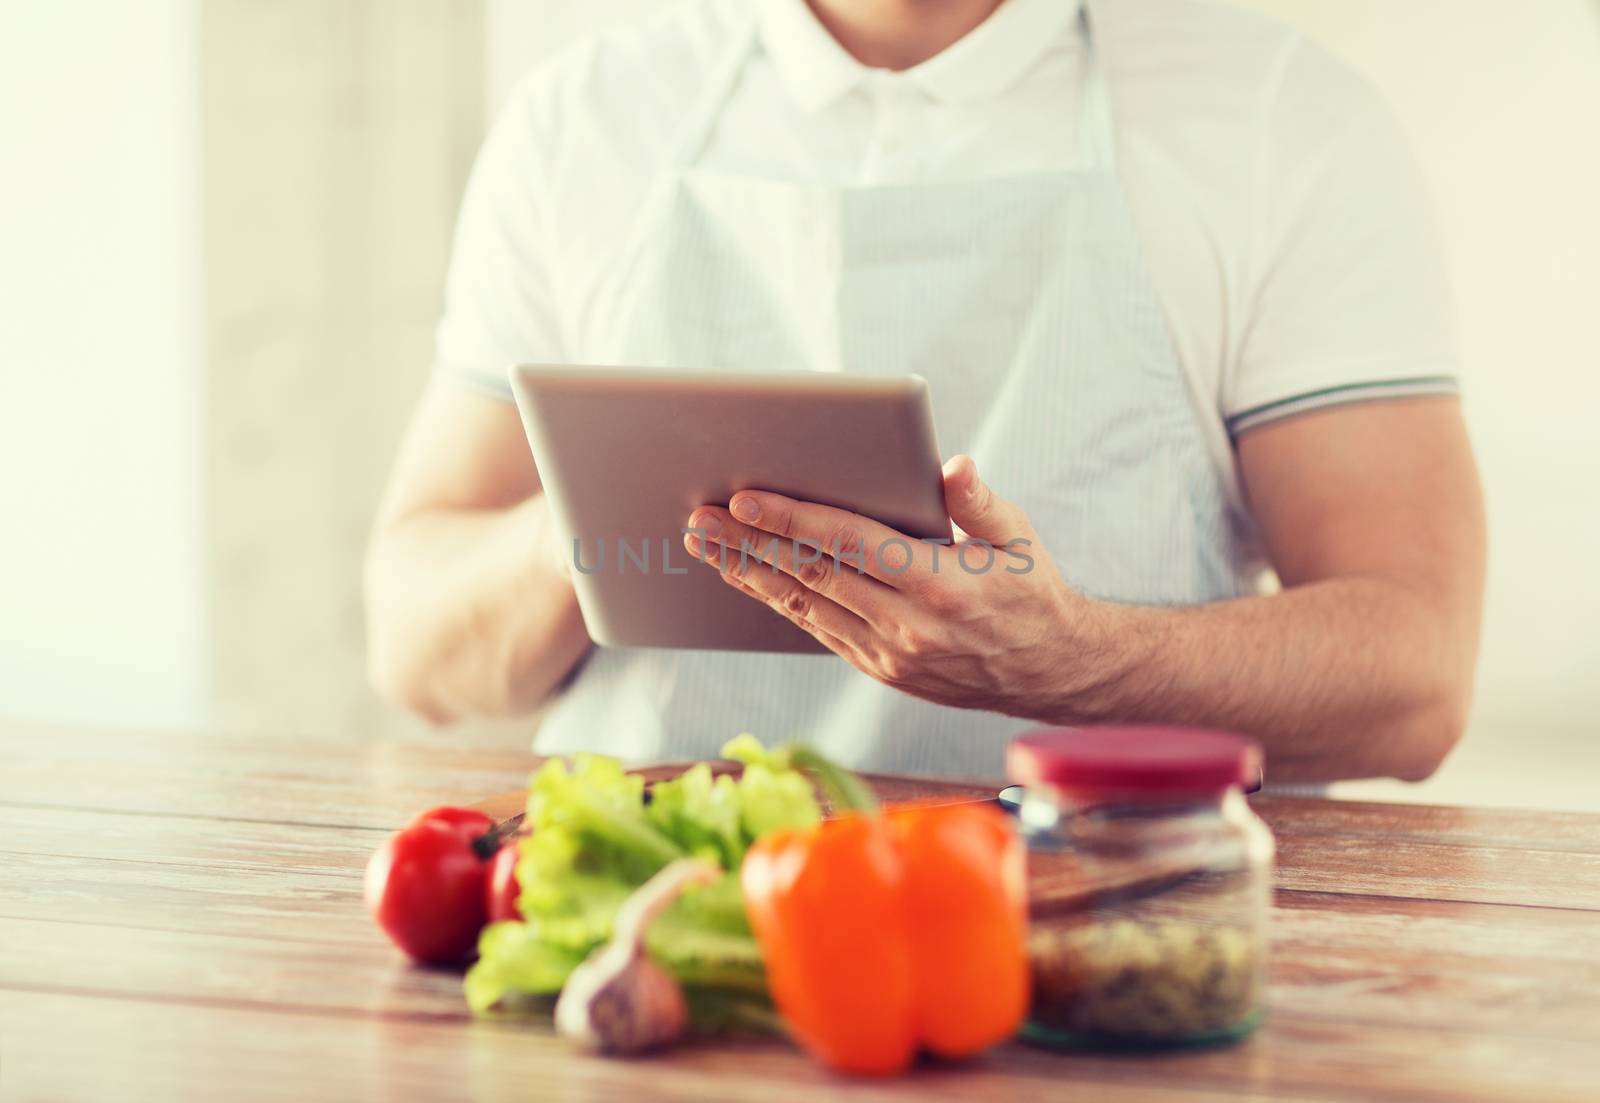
(1350, 295)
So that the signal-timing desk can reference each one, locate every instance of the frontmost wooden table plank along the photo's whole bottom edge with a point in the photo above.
(166, 1051)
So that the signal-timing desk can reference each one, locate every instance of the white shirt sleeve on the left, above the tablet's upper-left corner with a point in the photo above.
(500, 303)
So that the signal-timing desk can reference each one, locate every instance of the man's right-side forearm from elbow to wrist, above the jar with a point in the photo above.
(1343, 678)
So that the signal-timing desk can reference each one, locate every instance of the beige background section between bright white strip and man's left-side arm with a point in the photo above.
(337, 137)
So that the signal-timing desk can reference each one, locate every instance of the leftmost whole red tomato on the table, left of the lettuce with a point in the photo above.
(425, 888)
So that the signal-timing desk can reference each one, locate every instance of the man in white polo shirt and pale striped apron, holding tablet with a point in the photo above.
(1172, 281)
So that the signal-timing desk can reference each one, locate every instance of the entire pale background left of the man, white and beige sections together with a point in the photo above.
(223, 238)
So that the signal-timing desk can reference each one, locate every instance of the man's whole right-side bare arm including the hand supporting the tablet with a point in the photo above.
(1361, 667)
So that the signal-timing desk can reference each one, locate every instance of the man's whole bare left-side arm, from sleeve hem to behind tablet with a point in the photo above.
(470, 611)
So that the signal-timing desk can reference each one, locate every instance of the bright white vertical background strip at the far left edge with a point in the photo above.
(102, 334)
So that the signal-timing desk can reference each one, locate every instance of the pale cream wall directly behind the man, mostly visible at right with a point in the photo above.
(1503, 103)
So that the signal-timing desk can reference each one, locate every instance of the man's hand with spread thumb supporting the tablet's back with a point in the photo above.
(983, 624)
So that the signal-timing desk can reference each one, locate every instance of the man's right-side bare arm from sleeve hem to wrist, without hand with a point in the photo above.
(1364, 664)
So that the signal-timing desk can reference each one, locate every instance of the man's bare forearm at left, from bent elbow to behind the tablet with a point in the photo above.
(471, 611)
